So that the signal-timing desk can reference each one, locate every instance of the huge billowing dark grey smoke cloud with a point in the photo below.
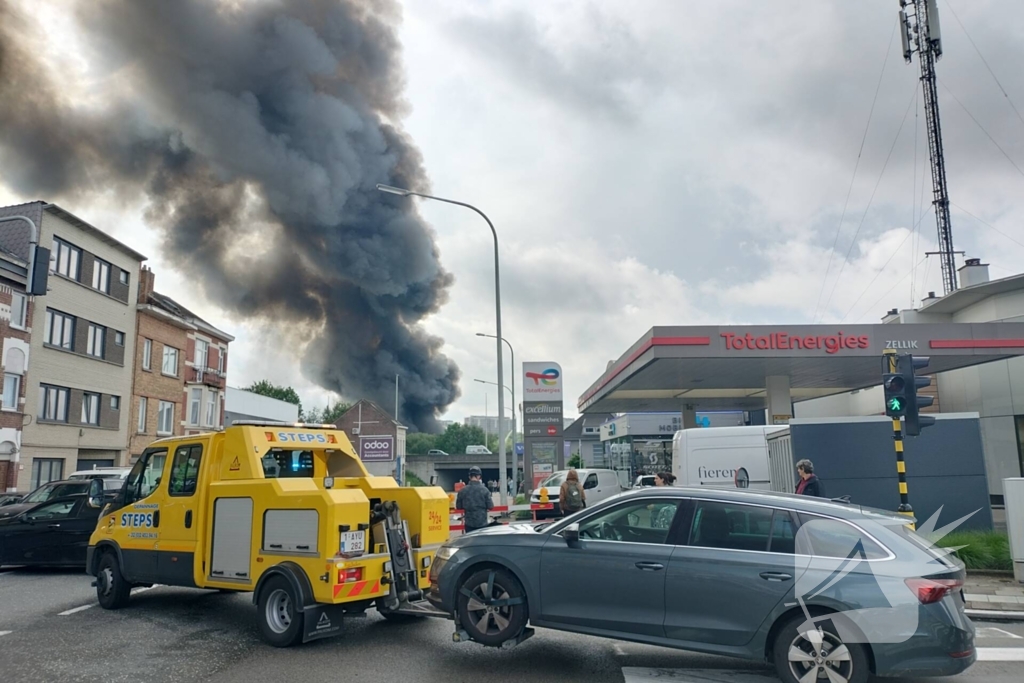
(258, 132)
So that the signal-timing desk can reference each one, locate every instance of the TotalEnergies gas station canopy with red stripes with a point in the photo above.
(733, 368)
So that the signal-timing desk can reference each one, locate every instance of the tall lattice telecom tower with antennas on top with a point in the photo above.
(920, 31)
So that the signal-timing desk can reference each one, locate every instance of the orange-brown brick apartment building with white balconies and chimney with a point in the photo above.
(181, 370)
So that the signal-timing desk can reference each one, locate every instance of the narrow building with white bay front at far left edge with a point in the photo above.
(16, 312)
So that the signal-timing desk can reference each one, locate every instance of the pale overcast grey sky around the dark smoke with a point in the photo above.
(677, 163)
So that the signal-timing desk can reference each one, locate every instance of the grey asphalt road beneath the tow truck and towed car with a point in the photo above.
(52, 630)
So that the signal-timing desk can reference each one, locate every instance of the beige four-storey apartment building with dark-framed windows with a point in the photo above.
(81, 351)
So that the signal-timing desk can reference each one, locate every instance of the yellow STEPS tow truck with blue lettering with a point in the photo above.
(287, 513)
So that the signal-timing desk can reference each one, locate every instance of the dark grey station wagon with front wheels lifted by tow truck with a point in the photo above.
(826, 592)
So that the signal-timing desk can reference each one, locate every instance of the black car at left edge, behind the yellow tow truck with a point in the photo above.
(56, 533)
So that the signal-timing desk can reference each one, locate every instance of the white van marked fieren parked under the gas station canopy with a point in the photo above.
(723, 457)
